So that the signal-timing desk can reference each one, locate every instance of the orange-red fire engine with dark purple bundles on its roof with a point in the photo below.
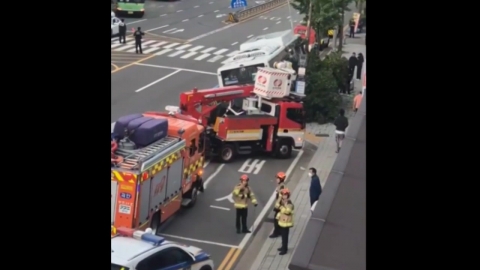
(156, 167)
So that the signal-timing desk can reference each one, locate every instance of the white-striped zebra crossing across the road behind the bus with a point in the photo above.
(178, 50)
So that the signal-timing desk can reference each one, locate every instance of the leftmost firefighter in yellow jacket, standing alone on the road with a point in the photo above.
(241, 194)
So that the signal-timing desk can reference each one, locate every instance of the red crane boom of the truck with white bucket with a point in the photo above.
(200, 103)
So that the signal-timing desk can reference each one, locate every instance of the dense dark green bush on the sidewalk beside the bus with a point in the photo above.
(322, 90)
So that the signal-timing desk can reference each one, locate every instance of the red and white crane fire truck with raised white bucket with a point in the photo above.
(244, 119)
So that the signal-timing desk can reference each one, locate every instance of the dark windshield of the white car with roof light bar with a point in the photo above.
(166, 258)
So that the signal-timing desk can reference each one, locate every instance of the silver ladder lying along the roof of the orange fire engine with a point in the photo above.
(132, 161)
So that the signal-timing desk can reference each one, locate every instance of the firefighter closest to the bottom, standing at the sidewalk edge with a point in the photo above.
(285, 218)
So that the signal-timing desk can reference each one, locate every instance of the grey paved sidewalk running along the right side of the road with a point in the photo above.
(323, 160)
